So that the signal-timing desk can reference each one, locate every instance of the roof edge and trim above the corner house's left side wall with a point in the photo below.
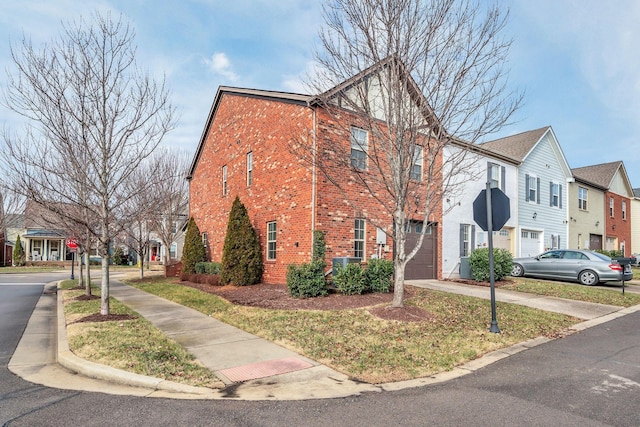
(255, 93)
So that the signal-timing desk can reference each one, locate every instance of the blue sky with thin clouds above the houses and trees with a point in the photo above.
(578, 61)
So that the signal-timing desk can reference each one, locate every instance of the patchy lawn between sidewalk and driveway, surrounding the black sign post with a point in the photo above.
(375, 350)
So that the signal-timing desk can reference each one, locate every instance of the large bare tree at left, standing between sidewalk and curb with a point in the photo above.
(92, 118)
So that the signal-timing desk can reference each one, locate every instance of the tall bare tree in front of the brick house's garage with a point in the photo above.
(415, 76)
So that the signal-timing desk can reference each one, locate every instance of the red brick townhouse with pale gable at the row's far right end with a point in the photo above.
(617, 202)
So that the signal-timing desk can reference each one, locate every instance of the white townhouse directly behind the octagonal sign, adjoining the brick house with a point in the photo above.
(462, 234)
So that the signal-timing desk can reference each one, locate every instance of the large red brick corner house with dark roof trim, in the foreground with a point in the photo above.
(247, 149)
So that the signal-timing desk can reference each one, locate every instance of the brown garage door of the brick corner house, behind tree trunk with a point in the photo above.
(424, 264)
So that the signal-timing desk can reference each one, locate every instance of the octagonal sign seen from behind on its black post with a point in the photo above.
(491, 209)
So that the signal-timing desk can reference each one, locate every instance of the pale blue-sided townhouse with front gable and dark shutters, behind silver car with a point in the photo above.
(543, 178)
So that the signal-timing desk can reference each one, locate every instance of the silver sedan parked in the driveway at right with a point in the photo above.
(587, 267)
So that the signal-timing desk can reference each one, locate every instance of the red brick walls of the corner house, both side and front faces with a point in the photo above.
(282, 183)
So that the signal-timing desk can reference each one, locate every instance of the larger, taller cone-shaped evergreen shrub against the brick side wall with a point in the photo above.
(241, 255)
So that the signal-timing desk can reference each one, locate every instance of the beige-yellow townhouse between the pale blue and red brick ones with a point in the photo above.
(586, 214)
